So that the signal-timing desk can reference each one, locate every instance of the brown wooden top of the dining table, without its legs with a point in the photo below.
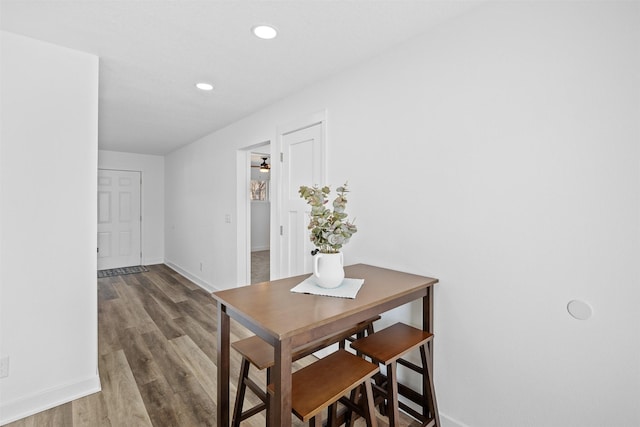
(277, 313)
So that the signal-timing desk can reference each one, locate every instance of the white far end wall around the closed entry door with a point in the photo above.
(152, 197)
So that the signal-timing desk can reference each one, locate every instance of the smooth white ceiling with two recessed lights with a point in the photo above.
(152, 52)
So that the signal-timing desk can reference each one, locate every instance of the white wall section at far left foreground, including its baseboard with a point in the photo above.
(48, 194)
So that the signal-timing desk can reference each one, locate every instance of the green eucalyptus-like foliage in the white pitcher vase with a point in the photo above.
(330, 229)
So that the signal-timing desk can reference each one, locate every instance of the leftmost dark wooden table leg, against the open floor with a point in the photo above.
(224, 339)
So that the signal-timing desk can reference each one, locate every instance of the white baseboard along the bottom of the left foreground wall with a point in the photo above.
(16, 409)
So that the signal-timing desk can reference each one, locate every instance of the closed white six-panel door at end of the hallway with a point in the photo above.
(118, 219)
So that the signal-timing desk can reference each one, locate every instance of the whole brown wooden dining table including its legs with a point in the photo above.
(287, 320)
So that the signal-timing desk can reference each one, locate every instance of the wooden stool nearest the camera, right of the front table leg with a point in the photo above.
(323, 383)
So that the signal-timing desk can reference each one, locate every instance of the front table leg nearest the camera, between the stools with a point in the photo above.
(281, 402)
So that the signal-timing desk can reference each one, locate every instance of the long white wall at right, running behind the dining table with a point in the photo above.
(509, 142)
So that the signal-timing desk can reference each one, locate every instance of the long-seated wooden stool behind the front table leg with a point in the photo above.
(257, 352)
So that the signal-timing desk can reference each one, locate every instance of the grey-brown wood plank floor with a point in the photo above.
(157, 353)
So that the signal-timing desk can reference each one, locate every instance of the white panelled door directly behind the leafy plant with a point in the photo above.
(302, 164)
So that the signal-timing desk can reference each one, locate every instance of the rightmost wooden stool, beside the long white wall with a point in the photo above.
(387, 347)
